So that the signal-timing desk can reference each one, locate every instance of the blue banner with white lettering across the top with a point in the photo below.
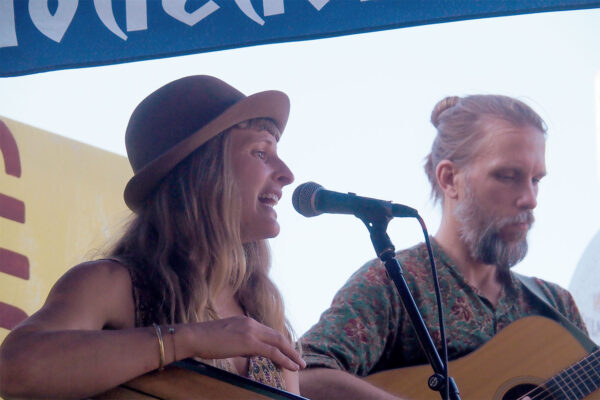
(43, 35)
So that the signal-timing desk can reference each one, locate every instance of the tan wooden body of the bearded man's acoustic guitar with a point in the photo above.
(526, 353)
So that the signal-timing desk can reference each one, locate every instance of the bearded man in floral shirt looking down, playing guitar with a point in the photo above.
(485, 166)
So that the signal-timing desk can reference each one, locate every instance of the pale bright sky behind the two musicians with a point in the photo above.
(360, 123)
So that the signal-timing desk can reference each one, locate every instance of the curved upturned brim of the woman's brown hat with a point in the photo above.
(271, 104)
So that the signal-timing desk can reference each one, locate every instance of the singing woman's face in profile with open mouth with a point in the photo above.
(260, 175)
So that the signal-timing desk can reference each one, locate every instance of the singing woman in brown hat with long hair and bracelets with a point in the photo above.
(189, 276)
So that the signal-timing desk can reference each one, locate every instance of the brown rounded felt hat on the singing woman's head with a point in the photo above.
(179, 117)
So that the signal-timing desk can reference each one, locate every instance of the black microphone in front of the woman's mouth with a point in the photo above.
(311, 199)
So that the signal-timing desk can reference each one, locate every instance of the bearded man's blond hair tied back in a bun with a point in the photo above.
(461, 124)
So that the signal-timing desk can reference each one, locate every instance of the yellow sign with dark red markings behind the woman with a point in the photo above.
(60, 203)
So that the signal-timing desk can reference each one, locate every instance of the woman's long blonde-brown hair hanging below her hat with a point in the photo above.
(185, 244)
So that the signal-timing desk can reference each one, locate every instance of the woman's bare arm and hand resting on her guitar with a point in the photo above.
(83, 341)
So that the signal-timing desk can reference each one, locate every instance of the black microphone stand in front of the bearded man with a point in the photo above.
(377, 222)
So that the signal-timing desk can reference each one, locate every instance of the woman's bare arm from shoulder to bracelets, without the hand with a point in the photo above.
(61, 350)
